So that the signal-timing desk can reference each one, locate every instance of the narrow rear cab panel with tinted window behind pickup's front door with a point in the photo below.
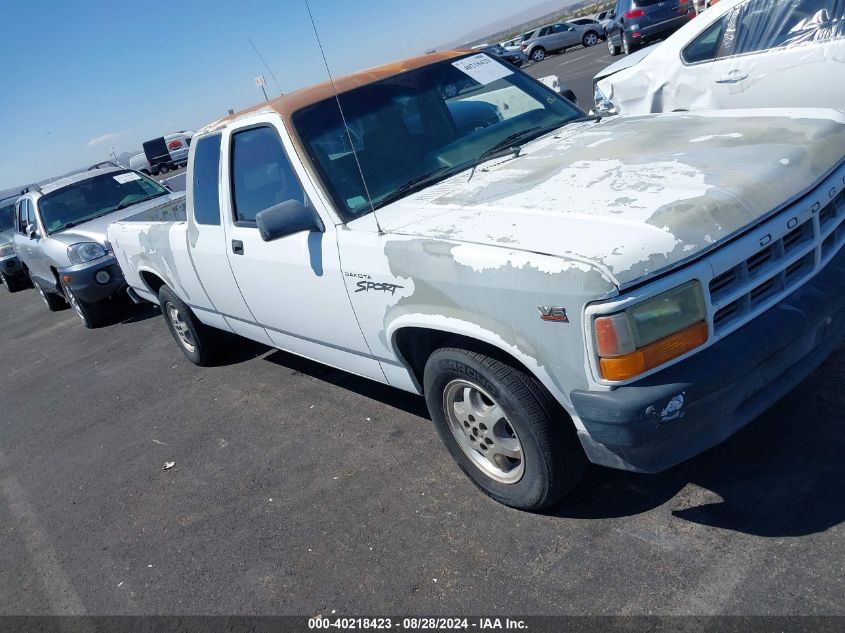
(207, 238)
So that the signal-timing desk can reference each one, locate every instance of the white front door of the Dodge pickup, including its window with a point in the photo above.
(293, 285)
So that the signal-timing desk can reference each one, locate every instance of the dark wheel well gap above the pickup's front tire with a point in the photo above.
(415, 345)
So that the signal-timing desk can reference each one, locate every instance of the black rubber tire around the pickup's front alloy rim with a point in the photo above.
(551, 455)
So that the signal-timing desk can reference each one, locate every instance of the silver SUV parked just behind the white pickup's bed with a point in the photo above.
(60, 236)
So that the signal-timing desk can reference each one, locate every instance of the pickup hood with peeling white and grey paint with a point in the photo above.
(633, 196)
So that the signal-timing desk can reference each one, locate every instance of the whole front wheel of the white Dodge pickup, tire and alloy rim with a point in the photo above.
(502, 429)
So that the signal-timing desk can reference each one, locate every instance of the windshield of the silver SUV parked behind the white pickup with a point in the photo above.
(92, 198)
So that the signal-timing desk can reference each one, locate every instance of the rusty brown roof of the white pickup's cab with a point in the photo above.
(287, 104)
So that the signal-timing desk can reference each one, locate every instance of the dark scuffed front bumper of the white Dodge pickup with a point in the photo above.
(664, 419)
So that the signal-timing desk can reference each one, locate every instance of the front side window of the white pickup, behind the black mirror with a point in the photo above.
(262, 175)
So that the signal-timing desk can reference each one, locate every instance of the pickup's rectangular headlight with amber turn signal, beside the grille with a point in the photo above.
(649, 334)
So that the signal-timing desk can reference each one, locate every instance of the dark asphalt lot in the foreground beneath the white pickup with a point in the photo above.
(298, 489)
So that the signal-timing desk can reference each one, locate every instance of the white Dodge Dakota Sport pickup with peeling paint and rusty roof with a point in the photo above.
(628, 291)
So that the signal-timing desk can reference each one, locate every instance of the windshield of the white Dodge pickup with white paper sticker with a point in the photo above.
(422, 125)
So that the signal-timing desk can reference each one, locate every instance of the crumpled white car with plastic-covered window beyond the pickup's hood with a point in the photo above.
(737, 54)
